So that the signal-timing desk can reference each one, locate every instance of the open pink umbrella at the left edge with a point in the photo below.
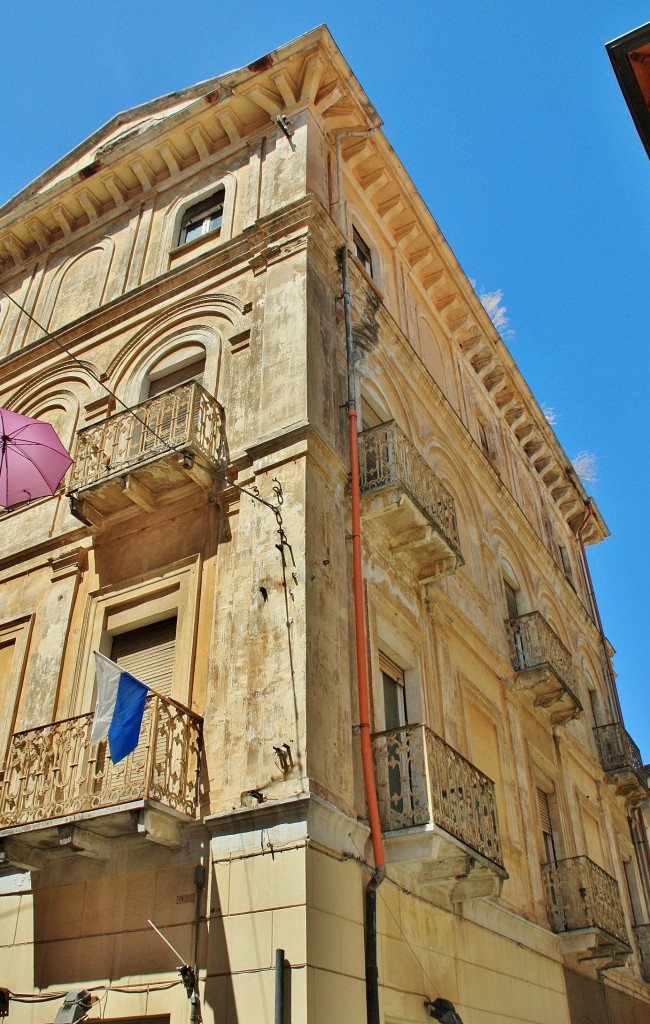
(33, 461)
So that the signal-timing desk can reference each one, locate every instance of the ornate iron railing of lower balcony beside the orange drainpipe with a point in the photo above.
(422, 780)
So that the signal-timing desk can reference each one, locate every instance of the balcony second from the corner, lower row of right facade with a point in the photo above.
(585, 906)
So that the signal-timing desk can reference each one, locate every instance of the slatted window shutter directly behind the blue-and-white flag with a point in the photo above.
(149, 654)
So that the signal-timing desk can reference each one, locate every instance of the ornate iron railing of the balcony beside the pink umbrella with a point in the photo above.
(186, 418)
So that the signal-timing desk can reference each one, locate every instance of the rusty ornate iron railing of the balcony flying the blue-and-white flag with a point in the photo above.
(54, 772)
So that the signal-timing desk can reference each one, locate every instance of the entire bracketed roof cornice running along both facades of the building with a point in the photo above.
(309, 73)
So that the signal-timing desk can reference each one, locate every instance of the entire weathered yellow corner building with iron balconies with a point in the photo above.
(186, 262)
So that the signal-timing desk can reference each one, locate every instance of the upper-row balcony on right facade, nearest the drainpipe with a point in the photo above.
(406, 499)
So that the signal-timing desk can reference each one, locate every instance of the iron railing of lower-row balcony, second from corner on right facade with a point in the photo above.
(580, 894)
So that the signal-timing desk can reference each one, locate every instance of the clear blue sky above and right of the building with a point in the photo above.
(508, 117)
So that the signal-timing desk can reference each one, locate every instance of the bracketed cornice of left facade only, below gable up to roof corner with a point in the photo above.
(219, 123)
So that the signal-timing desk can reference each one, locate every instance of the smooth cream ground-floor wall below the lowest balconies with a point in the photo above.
(289, 877)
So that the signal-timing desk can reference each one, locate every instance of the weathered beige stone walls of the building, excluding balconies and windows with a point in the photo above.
(266, 651)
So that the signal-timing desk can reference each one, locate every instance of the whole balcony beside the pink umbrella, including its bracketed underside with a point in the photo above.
(138, 457)
